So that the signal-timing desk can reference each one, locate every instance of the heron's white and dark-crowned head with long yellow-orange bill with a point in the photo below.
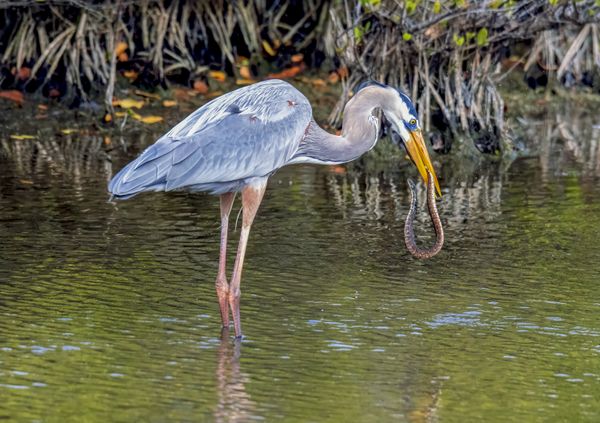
(406, 129)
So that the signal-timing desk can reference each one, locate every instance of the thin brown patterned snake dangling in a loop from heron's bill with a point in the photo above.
(409, 234)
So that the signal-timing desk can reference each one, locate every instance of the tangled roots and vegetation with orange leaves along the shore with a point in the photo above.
(450, 56)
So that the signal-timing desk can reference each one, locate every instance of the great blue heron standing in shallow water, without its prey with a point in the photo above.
(235, 142)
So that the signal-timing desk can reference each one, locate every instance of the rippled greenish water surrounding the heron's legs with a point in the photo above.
(108, 313)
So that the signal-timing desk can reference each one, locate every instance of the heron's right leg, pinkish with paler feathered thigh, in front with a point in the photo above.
(251, 197)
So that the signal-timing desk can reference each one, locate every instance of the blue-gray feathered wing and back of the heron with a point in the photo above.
(247, 133)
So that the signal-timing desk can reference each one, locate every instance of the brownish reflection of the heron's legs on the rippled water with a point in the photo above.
(233, 402)
